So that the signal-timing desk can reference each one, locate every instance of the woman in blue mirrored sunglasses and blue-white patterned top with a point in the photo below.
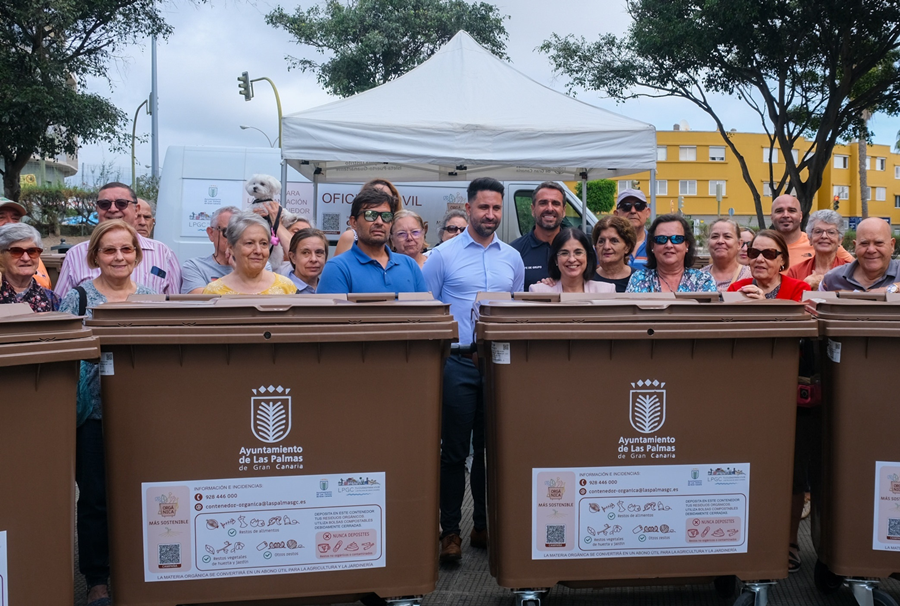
(670, 257)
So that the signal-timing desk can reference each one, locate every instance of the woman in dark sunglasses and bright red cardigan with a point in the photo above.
(769, 257)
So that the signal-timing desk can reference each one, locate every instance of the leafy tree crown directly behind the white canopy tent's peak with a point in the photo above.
(375, 41)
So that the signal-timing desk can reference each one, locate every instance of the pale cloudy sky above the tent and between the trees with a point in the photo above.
(213, 43)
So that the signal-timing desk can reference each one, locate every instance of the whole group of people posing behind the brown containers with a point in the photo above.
(385, 251)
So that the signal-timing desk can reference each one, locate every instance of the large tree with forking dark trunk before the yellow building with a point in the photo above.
(797, 65)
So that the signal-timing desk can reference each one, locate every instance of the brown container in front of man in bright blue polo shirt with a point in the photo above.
(272, 450)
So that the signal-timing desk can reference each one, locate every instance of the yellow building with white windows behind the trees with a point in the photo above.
(692, 164)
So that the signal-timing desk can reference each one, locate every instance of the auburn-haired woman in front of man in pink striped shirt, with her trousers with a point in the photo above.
(114, 248)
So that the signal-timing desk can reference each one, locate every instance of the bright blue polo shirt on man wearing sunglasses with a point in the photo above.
(356, 272)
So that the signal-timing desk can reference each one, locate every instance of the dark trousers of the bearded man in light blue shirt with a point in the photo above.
(462, 419)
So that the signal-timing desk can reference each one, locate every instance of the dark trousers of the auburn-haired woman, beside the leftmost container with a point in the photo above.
(90, 475)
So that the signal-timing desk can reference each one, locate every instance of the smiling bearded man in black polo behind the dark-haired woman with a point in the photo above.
(548, 207)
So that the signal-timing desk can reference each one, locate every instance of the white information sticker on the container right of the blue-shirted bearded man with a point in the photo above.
(652, 510)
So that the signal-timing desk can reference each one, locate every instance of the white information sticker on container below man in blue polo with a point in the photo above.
(263, 526)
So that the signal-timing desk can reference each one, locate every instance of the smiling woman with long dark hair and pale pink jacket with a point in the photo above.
(572, 265)
